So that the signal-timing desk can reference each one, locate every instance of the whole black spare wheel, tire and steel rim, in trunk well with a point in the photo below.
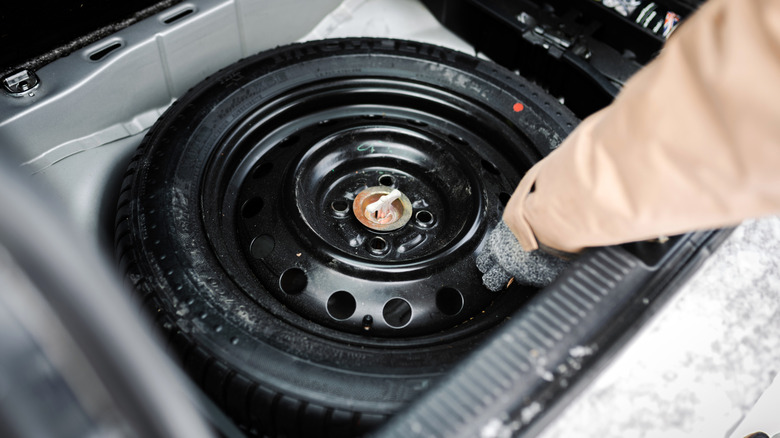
(200, 204)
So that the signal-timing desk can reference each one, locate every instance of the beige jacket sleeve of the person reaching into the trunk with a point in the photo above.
(692, 142)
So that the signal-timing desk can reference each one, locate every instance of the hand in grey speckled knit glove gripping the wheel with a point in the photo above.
(503, 259)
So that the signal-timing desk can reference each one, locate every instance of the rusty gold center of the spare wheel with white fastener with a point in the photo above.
(382, 208)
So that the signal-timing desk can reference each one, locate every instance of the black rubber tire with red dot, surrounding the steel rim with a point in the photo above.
(271, 375)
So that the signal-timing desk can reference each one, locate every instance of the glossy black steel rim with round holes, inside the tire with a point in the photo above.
(286, 178)
